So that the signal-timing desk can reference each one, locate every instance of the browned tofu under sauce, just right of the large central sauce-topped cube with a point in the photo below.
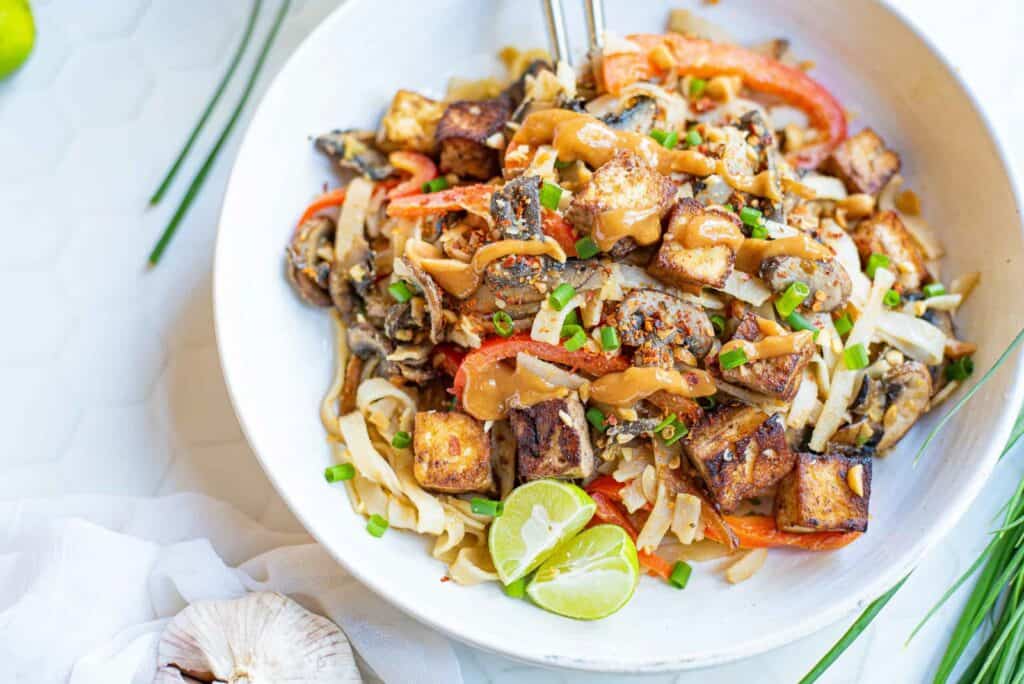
(706, 266)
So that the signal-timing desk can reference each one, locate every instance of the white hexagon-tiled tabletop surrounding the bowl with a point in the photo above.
(110, 376)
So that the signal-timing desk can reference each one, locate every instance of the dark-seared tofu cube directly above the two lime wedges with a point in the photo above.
(553, 441)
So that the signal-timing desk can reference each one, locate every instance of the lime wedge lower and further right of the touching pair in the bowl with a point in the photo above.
(589, 577)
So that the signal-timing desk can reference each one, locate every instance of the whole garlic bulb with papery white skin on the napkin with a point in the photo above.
(263, 638)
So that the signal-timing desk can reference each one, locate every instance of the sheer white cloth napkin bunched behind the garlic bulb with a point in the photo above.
(89, 583)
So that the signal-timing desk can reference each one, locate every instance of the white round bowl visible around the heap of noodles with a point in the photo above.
(278, 358)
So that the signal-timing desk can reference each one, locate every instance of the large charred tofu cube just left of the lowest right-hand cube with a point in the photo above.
(739, 451)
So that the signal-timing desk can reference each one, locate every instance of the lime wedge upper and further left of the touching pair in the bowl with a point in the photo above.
(538, 518)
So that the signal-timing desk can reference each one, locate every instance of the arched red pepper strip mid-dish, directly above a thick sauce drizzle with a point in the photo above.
(498, 349)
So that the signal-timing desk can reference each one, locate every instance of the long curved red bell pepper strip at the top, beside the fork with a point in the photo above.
(704, 59)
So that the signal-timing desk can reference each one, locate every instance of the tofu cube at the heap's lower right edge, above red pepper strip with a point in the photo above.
(818, 495)
